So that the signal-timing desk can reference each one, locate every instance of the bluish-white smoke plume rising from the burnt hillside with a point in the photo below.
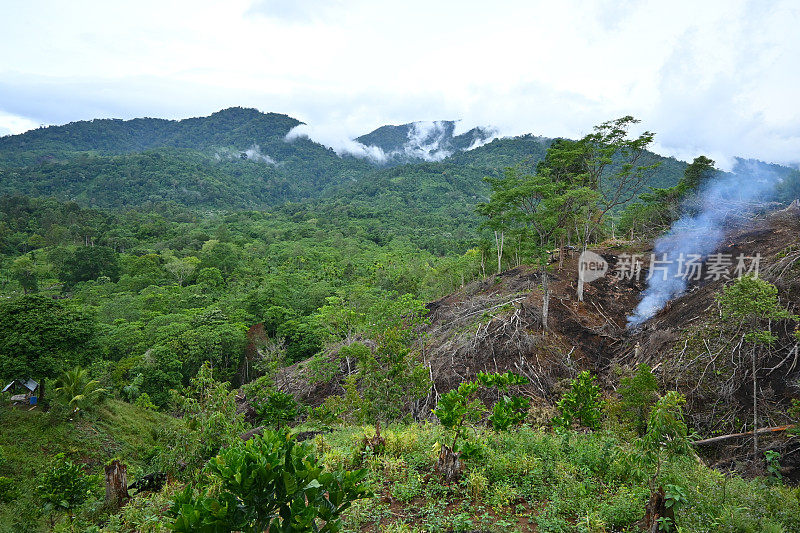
(701, 232)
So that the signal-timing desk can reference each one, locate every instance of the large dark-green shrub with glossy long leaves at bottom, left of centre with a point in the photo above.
(269, 483)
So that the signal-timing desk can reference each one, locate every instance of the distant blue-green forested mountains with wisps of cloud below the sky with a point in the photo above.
(241, 159)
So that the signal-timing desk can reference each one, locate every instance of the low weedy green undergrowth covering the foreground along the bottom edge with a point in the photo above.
(522, 480)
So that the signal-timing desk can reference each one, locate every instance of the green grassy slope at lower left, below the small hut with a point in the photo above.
(29, 439)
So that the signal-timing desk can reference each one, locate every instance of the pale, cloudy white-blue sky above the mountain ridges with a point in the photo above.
(718, 78)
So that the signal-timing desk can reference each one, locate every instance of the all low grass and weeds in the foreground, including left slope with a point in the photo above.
(518, 481)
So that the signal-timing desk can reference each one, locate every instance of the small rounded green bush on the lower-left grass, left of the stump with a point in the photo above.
(63, 486)
